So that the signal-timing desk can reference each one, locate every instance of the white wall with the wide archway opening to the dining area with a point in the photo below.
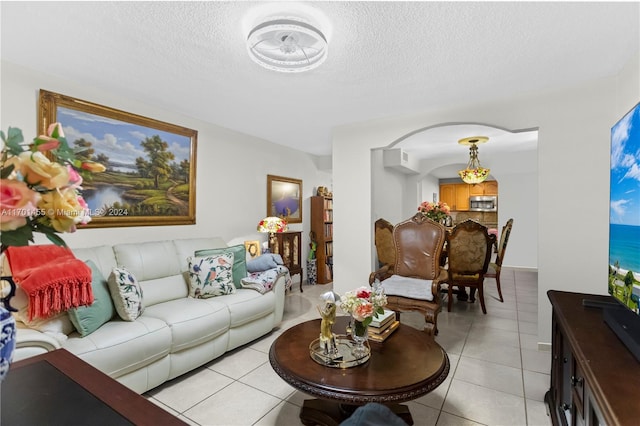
(574, 131)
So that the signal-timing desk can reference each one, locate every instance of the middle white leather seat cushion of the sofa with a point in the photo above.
(191, 321)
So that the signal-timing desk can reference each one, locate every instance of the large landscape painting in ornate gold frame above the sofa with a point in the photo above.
(151, 165)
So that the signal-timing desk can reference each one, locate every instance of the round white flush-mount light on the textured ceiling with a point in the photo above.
(287, 44)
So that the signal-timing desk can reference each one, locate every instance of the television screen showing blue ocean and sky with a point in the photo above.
(624, 213)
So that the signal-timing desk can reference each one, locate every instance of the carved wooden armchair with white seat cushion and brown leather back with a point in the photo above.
(412, 282)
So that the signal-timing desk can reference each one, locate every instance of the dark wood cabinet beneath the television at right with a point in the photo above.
(594, 378)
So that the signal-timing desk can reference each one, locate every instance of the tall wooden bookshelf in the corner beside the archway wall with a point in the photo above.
(322, 226)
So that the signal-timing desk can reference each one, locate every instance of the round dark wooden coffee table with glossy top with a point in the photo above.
(407, 365)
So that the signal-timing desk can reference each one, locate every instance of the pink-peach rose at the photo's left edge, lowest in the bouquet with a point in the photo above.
(17, 202)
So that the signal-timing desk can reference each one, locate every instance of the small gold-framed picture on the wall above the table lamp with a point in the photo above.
(284, 198)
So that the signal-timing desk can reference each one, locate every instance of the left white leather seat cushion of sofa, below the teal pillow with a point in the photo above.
(120, 347)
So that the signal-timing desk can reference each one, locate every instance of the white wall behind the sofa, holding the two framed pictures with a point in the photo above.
(231, 169)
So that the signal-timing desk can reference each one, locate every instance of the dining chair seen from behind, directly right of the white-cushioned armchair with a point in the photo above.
(469, 247)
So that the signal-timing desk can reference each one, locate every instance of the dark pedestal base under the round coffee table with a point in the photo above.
(318, 412)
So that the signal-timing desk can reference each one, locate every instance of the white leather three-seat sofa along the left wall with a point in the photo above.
(175, 333)
